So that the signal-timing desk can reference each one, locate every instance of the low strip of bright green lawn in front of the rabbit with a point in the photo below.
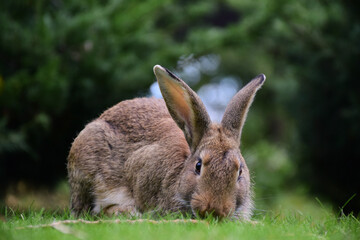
(280, 225)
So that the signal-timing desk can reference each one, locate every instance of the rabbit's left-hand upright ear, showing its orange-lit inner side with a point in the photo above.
(184, 106)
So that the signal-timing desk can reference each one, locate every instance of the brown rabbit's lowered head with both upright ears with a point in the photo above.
(215, 179)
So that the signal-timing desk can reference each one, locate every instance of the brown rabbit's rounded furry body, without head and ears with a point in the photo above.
(131, 139)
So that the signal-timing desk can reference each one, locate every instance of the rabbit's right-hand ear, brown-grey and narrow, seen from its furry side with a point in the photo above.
(236, 111)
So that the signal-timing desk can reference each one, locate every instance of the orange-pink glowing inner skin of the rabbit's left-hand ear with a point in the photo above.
(180, 101)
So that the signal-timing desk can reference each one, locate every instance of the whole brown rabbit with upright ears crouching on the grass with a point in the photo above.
(146, 153)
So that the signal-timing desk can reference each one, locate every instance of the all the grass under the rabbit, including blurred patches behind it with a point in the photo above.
(312, 219)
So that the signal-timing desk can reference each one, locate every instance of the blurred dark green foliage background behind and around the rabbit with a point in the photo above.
(62, 63)
